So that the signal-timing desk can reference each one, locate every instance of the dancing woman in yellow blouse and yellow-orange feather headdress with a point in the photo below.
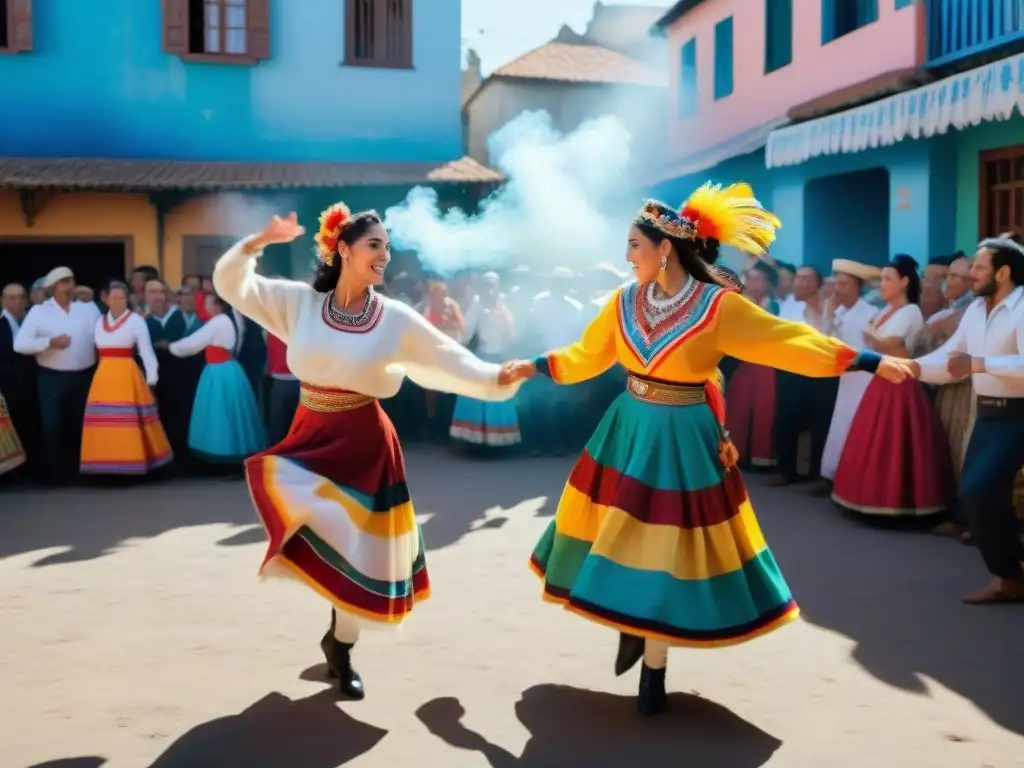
(655, 534)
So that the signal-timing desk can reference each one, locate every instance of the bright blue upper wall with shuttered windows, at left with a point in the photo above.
(99, 84)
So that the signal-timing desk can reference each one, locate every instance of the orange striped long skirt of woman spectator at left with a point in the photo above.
(122, 434)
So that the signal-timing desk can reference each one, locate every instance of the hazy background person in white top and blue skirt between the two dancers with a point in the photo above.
(478, 422)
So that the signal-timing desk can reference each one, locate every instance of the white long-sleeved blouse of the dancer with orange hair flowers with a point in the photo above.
(371, 359)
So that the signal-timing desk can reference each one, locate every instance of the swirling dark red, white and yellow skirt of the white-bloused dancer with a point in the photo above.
(334, 502)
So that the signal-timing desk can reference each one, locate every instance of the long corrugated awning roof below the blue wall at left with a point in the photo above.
(155, 176)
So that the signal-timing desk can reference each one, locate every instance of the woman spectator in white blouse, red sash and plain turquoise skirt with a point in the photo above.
(226, 426)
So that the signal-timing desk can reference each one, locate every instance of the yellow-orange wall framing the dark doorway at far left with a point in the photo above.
(88, 216)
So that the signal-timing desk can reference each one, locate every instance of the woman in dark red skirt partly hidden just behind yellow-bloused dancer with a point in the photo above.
(751, 393)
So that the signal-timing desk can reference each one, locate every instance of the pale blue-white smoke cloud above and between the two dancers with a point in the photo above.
(568, 202)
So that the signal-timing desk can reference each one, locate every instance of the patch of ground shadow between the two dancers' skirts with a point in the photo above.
(459, 494)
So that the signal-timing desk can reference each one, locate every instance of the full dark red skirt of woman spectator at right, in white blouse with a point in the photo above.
(897, 459)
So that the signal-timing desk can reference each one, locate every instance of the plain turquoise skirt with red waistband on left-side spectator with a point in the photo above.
(227, 425)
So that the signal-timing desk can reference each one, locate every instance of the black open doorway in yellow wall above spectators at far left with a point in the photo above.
(95, 263)
